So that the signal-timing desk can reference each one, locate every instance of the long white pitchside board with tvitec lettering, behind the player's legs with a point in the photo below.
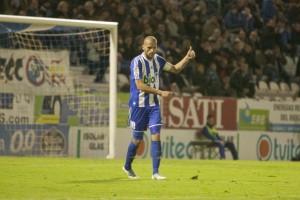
(251, 145)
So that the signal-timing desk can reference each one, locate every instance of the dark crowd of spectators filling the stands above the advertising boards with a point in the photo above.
(238, 43)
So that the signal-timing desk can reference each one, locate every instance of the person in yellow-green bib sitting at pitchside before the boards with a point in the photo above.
(210, 132)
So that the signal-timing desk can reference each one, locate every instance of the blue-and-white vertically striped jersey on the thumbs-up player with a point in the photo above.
(148, 71)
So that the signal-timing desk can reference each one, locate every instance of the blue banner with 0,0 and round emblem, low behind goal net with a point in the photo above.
(33, 140)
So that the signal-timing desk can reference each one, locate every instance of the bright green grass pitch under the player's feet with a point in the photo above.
(70, 178)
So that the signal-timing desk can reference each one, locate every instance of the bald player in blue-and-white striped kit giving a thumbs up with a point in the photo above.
(144, 105)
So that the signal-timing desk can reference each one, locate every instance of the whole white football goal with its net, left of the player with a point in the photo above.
(55, 97)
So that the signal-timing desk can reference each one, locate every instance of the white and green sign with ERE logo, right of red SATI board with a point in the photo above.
(265, 115)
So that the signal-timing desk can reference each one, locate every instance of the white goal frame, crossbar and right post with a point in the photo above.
(44, 24)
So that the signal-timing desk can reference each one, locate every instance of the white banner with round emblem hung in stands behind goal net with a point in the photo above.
(35, 72)
